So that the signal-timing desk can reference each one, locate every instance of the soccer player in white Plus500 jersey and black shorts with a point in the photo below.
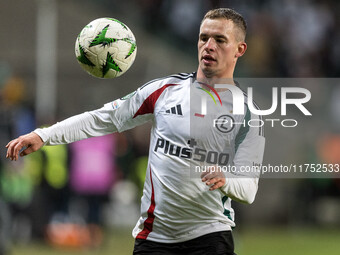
(182, 211)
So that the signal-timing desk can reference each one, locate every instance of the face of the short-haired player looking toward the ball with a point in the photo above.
(218, 49)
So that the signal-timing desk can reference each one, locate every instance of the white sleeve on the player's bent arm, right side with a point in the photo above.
(242, 184)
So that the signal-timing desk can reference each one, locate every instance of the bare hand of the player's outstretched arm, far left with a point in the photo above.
(31, 141)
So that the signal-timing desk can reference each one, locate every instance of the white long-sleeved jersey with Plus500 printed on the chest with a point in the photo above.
(176, 205)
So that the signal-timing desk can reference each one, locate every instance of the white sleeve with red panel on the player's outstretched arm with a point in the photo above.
(119, 115)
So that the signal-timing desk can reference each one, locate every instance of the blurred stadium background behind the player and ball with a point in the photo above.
(44, 210)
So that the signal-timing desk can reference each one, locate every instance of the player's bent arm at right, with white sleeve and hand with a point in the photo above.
(242, 183)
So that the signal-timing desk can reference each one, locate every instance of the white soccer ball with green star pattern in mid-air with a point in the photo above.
(106, 48)
